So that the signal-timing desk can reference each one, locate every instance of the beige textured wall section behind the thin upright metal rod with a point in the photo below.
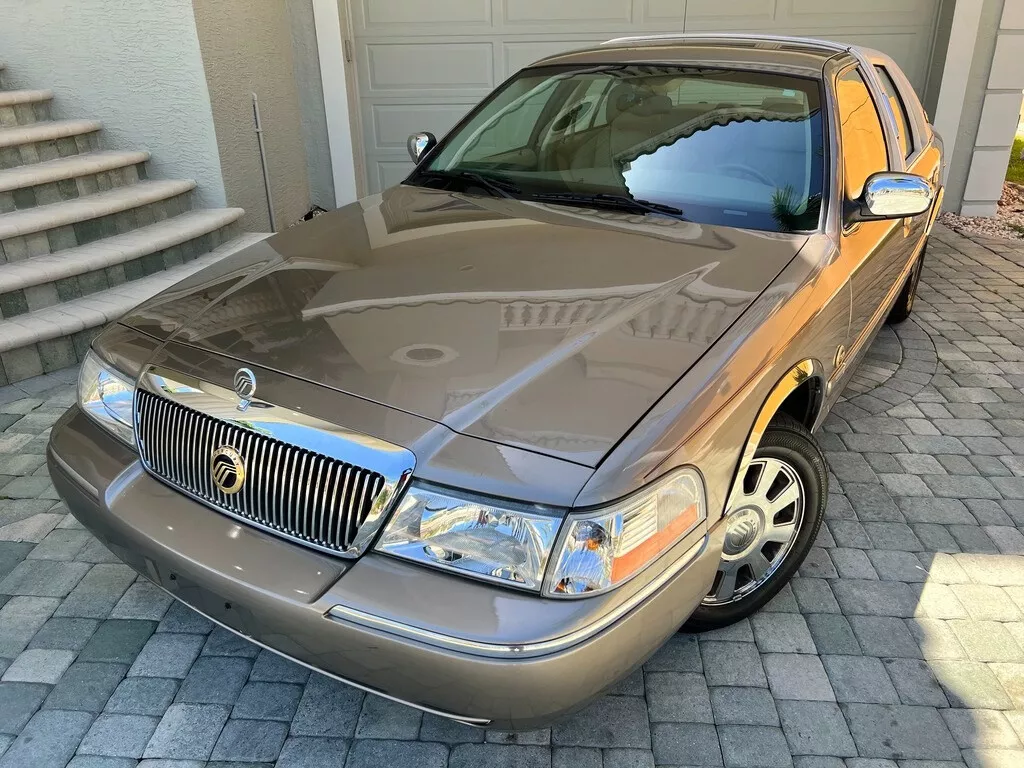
(247, 48)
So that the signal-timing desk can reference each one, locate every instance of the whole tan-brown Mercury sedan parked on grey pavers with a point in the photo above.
(481, 444)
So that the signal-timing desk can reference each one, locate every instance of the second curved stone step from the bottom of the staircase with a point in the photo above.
(46, 281)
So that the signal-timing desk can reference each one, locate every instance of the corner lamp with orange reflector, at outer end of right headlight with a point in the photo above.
(602, 549)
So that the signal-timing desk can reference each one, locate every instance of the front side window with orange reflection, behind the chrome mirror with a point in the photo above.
(864, 139)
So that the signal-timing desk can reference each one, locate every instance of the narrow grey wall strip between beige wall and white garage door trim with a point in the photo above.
(311, 90)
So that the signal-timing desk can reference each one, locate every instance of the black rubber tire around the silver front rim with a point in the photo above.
(791, 442)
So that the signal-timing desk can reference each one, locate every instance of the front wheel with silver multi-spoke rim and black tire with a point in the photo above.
(776, 516)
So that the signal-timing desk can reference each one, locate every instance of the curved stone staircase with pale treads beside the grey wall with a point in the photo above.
(84, 235)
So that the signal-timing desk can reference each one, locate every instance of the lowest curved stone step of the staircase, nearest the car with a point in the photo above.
(58, 337)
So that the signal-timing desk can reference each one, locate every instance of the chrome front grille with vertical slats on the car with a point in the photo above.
(306, 480)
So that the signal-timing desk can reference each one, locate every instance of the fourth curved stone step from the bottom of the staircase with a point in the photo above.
(68, 179)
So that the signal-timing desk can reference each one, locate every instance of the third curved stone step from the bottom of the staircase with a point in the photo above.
(49, 229)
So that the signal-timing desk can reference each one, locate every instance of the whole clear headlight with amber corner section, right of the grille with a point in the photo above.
(513, 545)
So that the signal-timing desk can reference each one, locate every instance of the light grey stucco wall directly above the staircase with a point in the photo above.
(135, 65)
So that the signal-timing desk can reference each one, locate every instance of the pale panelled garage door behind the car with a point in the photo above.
(421, 66)
